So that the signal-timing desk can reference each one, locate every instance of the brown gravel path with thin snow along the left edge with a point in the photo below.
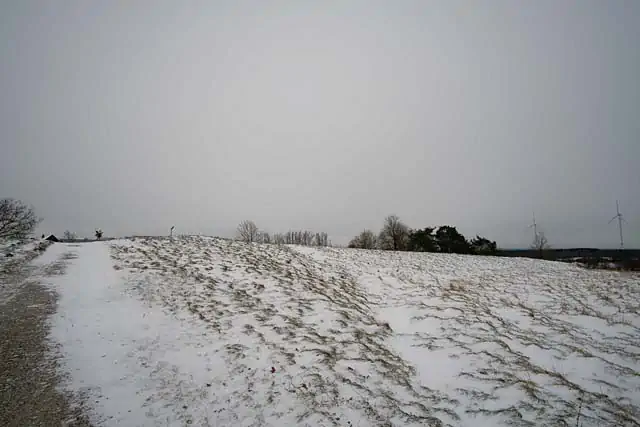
(28, 377)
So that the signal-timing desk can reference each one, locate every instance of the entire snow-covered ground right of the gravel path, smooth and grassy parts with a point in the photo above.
(211, 332)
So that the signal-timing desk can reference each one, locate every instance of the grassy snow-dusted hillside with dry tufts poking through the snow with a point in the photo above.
(382, 338)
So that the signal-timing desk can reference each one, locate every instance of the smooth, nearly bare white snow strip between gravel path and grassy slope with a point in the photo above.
(108, 341)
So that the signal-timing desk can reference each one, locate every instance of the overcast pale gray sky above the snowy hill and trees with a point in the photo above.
(135, 116)
